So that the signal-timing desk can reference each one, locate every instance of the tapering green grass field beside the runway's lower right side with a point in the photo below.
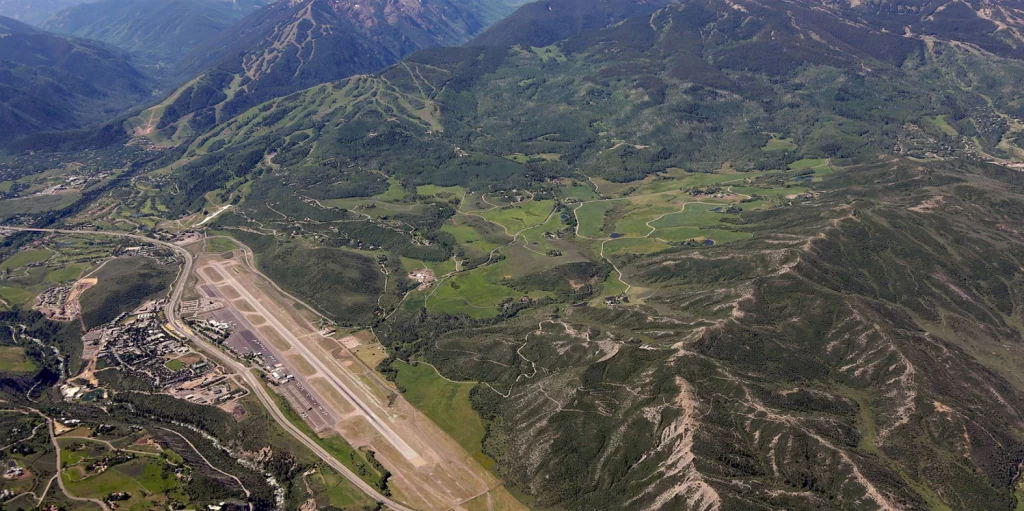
(447, 404)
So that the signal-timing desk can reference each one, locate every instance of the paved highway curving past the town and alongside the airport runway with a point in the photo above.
(229, 362)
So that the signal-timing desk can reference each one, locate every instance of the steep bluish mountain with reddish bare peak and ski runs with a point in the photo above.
(291, 46)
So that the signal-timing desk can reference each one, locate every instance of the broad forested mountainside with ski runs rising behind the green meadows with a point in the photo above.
(829, 91)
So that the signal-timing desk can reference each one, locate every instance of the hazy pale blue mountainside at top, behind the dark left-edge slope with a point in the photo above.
(159, 33)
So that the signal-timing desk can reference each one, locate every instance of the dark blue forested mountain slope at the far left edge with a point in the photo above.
(50, 82)
